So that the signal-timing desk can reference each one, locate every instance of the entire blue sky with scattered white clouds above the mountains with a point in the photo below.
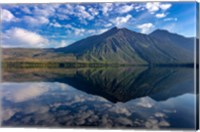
(59, 25)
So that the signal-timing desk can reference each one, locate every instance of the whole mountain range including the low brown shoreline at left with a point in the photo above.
(114, 46)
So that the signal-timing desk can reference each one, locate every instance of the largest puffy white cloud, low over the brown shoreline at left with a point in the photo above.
(18, 37)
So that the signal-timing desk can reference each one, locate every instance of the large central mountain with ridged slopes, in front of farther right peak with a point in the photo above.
(126, 46)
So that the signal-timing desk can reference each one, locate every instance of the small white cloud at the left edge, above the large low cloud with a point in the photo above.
(7, 16)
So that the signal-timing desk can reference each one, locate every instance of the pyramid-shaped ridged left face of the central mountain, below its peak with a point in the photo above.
(110, 47)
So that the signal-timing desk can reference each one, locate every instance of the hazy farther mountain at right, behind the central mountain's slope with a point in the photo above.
(173, 38)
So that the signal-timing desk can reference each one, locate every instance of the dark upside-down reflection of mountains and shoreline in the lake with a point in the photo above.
(115, 84)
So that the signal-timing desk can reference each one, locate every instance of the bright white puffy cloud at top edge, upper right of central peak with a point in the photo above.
(152, 7)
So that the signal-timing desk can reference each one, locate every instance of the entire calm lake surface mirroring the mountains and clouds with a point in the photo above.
(130, 97)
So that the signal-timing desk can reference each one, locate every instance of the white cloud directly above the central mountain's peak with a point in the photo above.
(118, 21)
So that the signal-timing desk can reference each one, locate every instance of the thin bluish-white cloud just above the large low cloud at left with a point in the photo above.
(36, 21)
